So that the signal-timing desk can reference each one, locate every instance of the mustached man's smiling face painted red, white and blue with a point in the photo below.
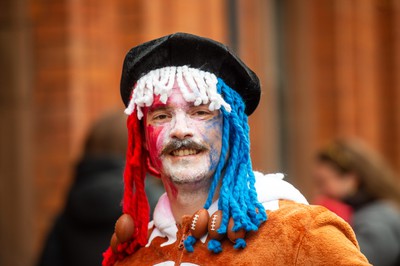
(184, 141)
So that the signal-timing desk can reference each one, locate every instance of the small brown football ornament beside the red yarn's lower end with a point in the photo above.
(123, 232)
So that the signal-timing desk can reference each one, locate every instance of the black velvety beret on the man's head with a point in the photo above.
(181, 49)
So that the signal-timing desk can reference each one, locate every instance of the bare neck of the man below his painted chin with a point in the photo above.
(186, 199)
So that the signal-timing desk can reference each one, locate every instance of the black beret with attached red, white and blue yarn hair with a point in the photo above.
(202, 78)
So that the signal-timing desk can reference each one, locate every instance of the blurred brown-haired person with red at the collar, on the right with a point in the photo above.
(358, 185)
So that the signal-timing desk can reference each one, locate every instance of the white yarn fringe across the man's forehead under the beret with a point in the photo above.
(197, 86)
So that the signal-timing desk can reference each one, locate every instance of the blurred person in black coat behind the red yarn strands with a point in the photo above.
(81, 232)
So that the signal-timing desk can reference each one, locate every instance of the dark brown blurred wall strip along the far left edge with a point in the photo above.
(16, 199)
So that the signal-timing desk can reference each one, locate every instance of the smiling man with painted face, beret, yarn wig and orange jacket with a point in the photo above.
(188, 99)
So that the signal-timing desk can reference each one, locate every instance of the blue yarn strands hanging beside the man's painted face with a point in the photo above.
(237, 197)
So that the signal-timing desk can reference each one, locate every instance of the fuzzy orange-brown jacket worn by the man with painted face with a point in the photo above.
(294, 234)
